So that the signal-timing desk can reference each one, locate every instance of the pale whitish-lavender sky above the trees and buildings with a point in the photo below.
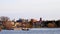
(47, 9)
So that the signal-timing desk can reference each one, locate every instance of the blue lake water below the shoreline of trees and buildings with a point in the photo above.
(33, 31)
